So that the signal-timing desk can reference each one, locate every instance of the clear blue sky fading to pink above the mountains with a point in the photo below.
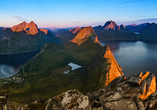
(74, 13)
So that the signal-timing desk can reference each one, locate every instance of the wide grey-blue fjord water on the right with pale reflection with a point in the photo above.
(134, 57)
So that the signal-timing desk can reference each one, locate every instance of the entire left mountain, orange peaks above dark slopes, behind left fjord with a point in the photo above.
(24, 37)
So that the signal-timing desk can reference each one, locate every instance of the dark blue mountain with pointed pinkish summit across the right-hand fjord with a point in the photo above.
(111, 31)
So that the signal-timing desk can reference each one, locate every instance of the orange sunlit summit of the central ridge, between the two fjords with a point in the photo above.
(84, 34)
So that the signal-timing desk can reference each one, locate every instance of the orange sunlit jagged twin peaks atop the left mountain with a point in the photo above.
(29, 28)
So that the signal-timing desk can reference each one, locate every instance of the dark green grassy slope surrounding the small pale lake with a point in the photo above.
(44, 76)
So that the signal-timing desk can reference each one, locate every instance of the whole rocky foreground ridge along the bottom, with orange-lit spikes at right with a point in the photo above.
(138, 92)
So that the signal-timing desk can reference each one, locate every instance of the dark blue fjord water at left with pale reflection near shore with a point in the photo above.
(10, 63)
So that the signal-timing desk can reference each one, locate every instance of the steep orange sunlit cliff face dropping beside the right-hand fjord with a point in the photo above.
(114, 70)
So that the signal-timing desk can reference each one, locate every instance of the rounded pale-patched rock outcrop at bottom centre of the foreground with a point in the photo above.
(71, 99)
